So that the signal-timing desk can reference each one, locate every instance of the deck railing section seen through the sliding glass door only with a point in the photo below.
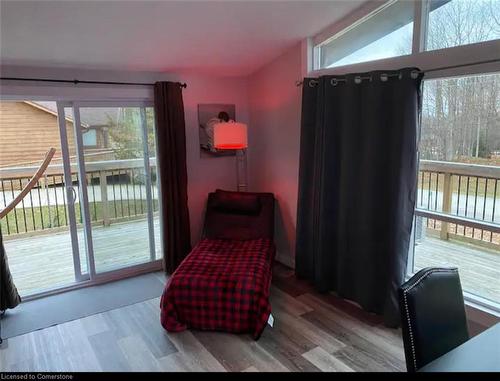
(116, 191)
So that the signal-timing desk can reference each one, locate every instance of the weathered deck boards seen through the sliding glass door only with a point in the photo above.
(45, 261)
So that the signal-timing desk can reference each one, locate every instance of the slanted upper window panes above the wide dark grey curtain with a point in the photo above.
(392, 31)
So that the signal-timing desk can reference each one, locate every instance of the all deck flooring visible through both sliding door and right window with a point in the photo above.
(45, 261)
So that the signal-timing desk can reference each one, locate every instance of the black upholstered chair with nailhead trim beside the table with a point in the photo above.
(432, 315)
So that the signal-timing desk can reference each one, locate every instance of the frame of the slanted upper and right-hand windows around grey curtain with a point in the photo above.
(470, 59)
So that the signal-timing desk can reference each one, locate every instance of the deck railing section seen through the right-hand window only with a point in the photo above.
(460, 200)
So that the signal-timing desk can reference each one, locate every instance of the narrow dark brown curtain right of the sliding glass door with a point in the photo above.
(171, 137)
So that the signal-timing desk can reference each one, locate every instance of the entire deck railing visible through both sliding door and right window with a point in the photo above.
(455, 200)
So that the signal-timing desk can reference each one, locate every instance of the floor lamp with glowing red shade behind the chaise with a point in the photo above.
(233, 136)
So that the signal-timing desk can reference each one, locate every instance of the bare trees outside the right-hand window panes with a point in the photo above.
(460, 117)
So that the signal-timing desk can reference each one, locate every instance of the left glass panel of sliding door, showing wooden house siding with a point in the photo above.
(37, 233)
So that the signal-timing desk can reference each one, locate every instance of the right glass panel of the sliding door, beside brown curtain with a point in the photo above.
(114, 141)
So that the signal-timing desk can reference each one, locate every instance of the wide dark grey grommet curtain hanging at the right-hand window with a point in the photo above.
(357, 184)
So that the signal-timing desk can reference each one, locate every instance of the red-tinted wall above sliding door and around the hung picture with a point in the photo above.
(204, 174)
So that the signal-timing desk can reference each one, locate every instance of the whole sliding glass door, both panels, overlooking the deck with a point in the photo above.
(97, 214)
